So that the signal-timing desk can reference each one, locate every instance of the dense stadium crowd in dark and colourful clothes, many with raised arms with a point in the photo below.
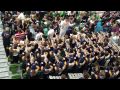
(62, 42)
